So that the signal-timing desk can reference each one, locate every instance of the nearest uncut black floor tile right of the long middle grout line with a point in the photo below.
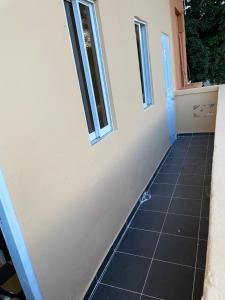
(177, 249)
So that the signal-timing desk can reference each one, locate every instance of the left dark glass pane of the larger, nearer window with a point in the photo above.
(79, 65)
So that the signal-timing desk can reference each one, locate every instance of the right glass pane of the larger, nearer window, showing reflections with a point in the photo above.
(93, 63)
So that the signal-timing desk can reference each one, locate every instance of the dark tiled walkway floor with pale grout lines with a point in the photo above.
(163, 253)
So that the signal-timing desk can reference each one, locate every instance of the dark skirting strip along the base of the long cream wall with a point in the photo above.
(122, 231)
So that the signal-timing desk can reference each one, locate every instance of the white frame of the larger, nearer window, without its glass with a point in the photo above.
(99, 132)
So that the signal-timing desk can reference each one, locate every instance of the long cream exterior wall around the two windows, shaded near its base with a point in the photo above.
(71, 198)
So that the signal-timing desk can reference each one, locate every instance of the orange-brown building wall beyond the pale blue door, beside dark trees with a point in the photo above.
(179, 41)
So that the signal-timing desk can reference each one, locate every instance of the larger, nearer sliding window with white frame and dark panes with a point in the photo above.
(83, 28)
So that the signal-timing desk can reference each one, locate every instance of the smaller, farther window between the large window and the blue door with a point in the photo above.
(144, 64)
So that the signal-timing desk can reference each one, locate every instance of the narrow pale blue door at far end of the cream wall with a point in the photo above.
(168, 83)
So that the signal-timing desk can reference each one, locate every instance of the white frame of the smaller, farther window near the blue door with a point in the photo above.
(145, 61)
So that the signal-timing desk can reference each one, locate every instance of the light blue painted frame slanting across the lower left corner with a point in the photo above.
(16, 246)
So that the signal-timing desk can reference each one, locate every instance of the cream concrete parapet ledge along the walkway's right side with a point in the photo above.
(214, 286)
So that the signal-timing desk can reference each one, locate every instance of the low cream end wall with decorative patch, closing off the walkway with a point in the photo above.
(196, 109)
